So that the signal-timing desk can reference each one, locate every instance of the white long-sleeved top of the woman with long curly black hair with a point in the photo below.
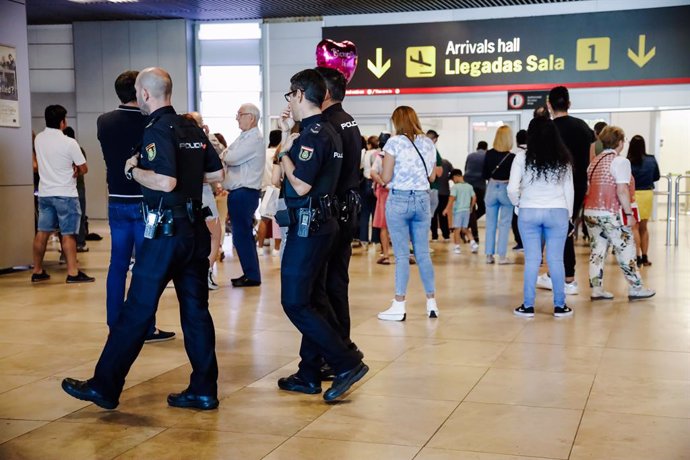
(526, 191)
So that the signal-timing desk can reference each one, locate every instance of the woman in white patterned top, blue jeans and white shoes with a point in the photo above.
(408, 166)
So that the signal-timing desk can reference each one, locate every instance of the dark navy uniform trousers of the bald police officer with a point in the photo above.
(182, 258)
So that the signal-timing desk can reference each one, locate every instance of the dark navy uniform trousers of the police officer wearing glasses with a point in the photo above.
(302, 269)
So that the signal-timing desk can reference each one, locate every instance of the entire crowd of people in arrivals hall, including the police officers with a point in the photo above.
(320, 188)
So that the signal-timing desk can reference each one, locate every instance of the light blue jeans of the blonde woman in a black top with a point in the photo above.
(499, 212)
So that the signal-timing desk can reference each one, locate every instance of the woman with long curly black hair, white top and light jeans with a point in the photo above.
(541, 188)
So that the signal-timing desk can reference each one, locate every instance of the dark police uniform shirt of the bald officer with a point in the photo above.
(176, 147)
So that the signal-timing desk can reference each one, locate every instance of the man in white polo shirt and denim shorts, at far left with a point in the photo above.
(60, 161)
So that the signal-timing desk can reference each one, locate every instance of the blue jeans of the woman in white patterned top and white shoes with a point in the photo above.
(407, 216)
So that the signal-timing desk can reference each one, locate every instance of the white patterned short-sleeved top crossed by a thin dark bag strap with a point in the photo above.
(409, 172)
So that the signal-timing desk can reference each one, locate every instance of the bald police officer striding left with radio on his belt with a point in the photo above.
(175, 159)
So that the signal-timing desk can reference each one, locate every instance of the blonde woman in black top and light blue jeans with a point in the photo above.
(499, 209)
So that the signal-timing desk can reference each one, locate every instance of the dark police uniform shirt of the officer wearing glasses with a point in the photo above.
(317, 156)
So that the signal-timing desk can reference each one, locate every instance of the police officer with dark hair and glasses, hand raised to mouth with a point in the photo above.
(311, 162)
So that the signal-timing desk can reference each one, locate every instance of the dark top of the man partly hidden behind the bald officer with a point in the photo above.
(119, 132)
